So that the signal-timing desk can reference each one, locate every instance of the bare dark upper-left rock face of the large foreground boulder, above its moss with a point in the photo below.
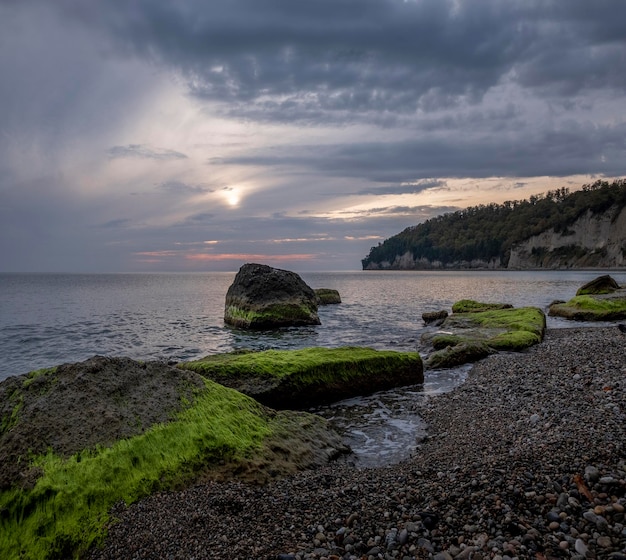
(76, 406)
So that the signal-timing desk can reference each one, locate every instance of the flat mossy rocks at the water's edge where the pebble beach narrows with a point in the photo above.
(482, 329)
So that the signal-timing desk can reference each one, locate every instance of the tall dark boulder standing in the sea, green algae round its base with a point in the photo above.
(262, 297)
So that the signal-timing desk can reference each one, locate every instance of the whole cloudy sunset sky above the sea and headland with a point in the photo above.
(140, 135)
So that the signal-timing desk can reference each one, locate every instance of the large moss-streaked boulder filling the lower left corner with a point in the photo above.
(82, 437)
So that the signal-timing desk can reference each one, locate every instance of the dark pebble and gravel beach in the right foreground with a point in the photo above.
(527, 459)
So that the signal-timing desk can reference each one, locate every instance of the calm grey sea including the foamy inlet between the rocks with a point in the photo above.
(50, 319)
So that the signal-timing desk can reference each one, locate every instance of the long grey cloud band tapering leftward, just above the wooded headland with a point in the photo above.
(571, 149)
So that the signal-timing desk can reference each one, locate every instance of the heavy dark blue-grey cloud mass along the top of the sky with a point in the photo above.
(303, 59)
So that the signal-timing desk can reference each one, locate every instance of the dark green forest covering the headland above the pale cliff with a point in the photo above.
(487, 232)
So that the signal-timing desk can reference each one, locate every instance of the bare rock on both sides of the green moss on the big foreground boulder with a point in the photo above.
(101, 400)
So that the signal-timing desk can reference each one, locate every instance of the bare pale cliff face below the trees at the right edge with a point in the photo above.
(594, 240)
